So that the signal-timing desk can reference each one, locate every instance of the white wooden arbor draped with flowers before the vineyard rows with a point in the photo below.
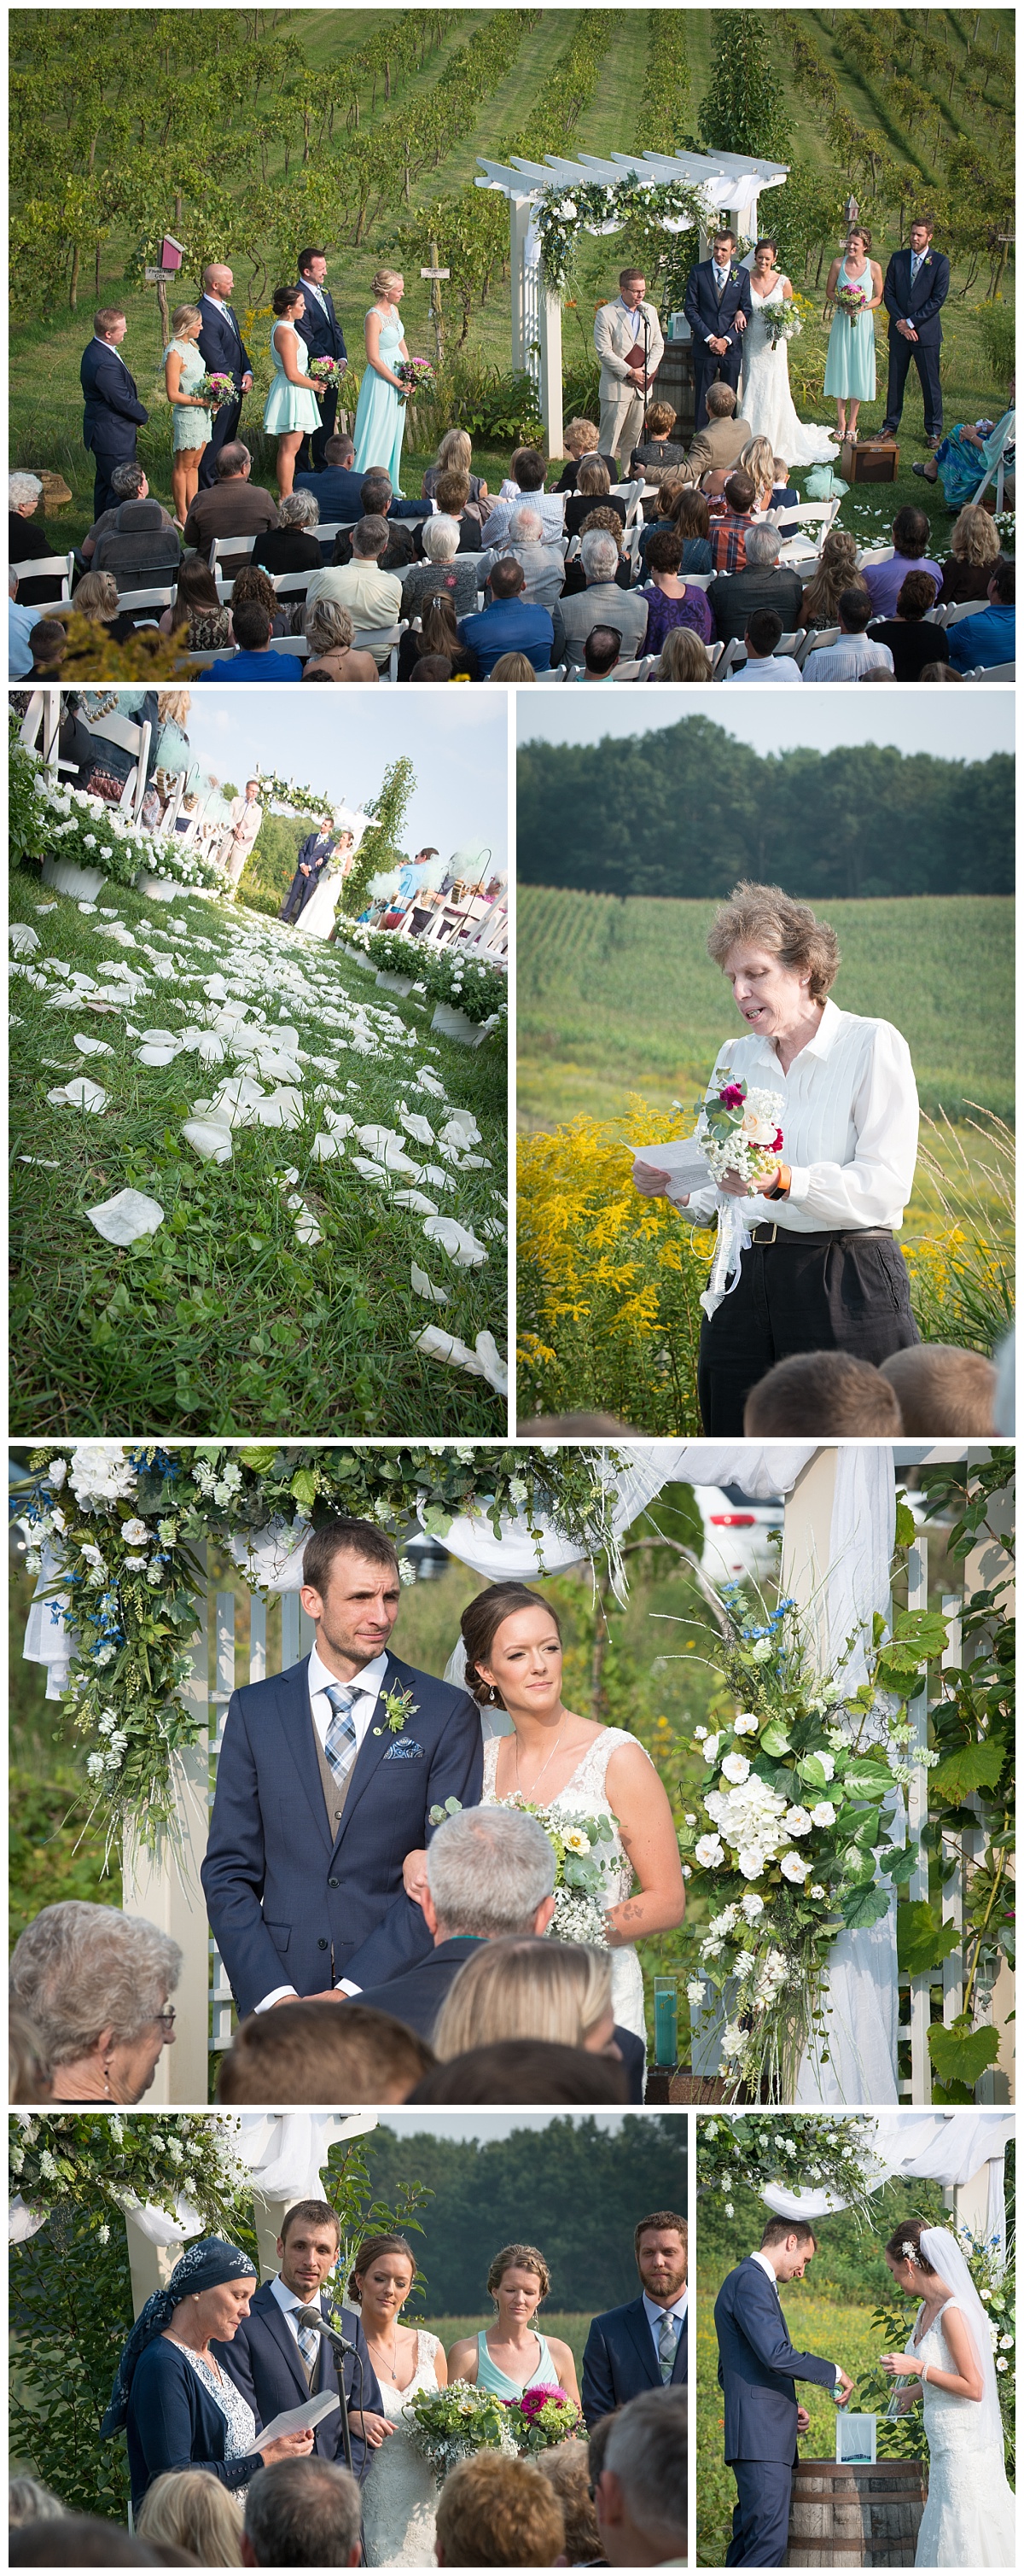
(729, 187)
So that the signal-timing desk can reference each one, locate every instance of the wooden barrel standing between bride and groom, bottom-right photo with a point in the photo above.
(855, 2515)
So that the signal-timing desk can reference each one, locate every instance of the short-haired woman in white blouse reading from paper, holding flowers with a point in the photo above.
(819, 1266)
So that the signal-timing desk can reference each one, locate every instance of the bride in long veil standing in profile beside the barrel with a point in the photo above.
(969, 2518)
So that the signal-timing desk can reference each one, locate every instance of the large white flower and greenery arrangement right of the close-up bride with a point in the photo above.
(799, 1846)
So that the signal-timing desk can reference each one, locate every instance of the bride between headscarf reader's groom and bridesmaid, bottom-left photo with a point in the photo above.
(400, 2492)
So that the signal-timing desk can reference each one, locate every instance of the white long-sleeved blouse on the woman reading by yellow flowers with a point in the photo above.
(850, 1124)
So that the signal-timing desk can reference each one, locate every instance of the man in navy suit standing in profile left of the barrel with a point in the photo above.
(758, 2369)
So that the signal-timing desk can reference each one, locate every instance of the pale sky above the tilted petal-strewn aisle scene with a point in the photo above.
(454, 738)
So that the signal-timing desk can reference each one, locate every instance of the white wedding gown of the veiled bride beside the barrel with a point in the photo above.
(969, 2521)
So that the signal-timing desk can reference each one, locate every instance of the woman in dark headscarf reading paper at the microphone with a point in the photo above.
(171, 2397)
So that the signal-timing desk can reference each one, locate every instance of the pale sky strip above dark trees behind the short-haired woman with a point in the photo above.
(915, 720)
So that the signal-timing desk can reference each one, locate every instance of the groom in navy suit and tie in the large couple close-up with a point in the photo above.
(328, 1779)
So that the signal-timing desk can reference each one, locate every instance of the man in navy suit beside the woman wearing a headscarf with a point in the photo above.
(282, 2363)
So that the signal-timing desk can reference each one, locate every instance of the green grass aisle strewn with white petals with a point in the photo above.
(225, 1320)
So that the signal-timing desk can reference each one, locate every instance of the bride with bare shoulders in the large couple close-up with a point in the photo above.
(554, 1758)
